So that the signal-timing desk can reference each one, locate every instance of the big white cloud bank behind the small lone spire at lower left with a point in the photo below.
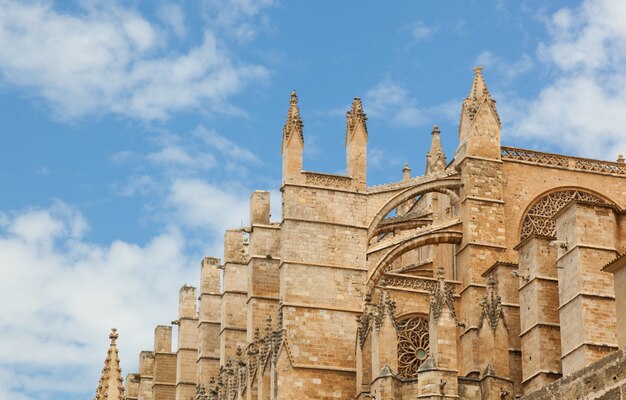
(65, 294)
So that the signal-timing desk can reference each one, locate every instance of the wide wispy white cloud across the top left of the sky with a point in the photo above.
(109, 60)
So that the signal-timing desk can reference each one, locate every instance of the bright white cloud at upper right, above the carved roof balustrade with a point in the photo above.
(582, 109)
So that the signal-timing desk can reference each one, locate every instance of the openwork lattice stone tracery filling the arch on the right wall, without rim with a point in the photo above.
(538, 220)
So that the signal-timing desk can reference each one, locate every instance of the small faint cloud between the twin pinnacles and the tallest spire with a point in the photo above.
(391, 100)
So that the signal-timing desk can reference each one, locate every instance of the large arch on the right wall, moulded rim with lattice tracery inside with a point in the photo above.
(537, 218)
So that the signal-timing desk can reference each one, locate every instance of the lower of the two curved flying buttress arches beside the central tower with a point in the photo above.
(447, 236)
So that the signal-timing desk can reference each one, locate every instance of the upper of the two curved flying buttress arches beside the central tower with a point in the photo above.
(445, 185)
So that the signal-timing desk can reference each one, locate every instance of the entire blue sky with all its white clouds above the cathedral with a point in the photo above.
(133, 133)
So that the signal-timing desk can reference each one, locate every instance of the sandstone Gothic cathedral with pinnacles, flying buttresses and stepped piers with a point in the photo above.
(500, 273)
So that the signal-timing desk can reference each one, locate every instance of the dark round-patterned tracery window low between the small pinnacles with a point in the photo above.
(413, 345)
